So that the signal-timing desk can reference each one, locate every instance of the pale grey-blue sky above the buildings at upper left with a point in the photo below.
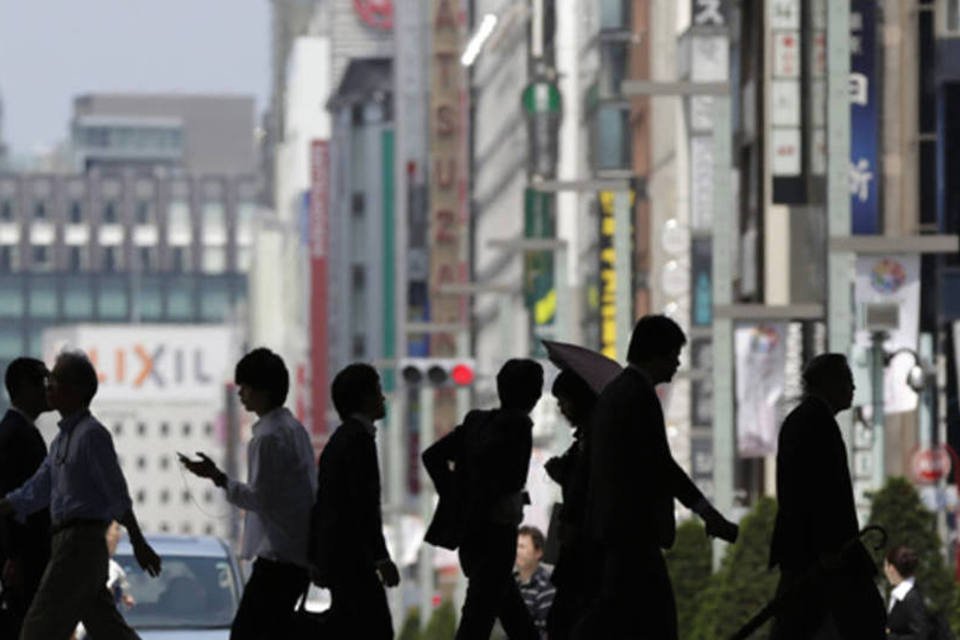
(52, 50)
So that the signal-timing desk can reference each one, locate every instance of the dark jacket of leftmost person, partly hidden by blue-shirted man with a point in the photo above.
(22, 451)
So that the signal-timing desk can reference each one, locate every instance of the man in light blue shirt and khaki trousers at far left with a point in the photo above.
(81, 483)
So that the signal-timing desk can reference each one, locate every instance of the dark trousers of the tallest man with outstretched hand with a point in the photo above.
(635, 599)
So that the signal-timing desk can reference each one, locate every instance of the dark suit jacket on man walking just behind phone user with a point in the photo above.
(347, 525)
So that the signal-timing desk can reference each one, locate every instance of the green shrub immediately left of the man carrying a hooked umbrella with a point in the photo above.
(743, 585)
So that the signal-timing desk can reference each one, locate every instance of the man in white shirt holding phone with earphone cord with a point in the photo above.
(278, 498)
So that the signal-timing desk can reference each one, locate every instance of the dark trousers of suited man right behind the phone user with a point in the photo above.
(359, 607)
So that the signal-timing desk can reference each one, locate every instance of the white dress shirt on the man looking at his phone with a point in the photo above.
(280, 492)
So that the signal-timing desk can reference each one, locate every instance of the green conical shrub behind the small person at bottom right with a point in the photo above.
(898, 509)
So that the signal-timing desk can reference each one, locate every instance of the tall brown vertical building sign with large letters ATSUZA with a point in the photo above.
(447, 226)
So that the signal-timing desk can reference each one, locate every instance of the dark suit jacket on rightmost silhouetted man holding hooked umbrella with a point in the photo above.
(816, 512)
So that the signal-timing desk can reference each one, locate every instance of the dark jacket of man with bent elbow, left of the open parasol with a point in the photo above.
(478, 470)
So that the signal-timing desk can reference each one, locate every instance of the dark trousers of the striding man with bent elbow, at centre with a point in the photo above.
(487, 555)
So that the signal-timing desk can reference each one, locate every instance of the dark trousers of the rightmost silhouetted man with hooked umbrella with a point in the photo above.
(843, 605)
